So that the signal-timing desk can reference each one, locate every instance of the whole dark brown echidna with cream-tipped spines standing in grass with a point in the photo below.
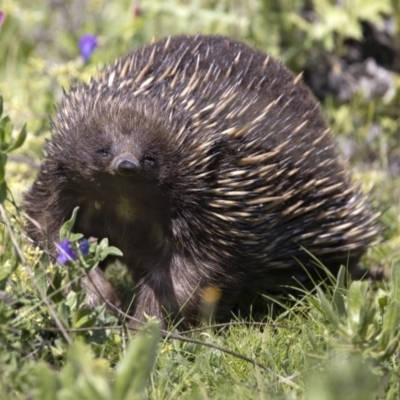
(208, 164)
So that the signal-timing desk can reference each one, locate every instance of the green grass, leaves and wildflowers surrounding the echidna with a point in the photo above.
(336, 342)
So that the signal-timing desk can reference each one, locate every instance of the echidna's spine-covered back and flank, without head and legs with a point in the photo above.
(272, 183)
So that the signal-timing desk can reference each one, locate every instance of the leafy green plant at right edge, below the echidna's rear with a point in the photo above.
(366, 320)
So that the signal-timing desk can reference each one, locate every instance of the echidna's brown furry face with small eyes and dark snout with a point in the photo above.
(118, 146)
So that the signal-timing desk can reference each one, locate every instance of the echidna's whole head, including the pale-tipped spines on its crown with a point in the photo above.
(114, 147)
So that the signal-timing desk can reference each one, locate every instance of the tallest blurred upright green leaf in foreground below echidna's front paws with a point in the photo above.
(134, 370)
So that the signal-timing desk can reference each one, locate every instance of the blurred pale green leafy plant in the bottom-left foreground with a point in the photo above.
(85, 377)
